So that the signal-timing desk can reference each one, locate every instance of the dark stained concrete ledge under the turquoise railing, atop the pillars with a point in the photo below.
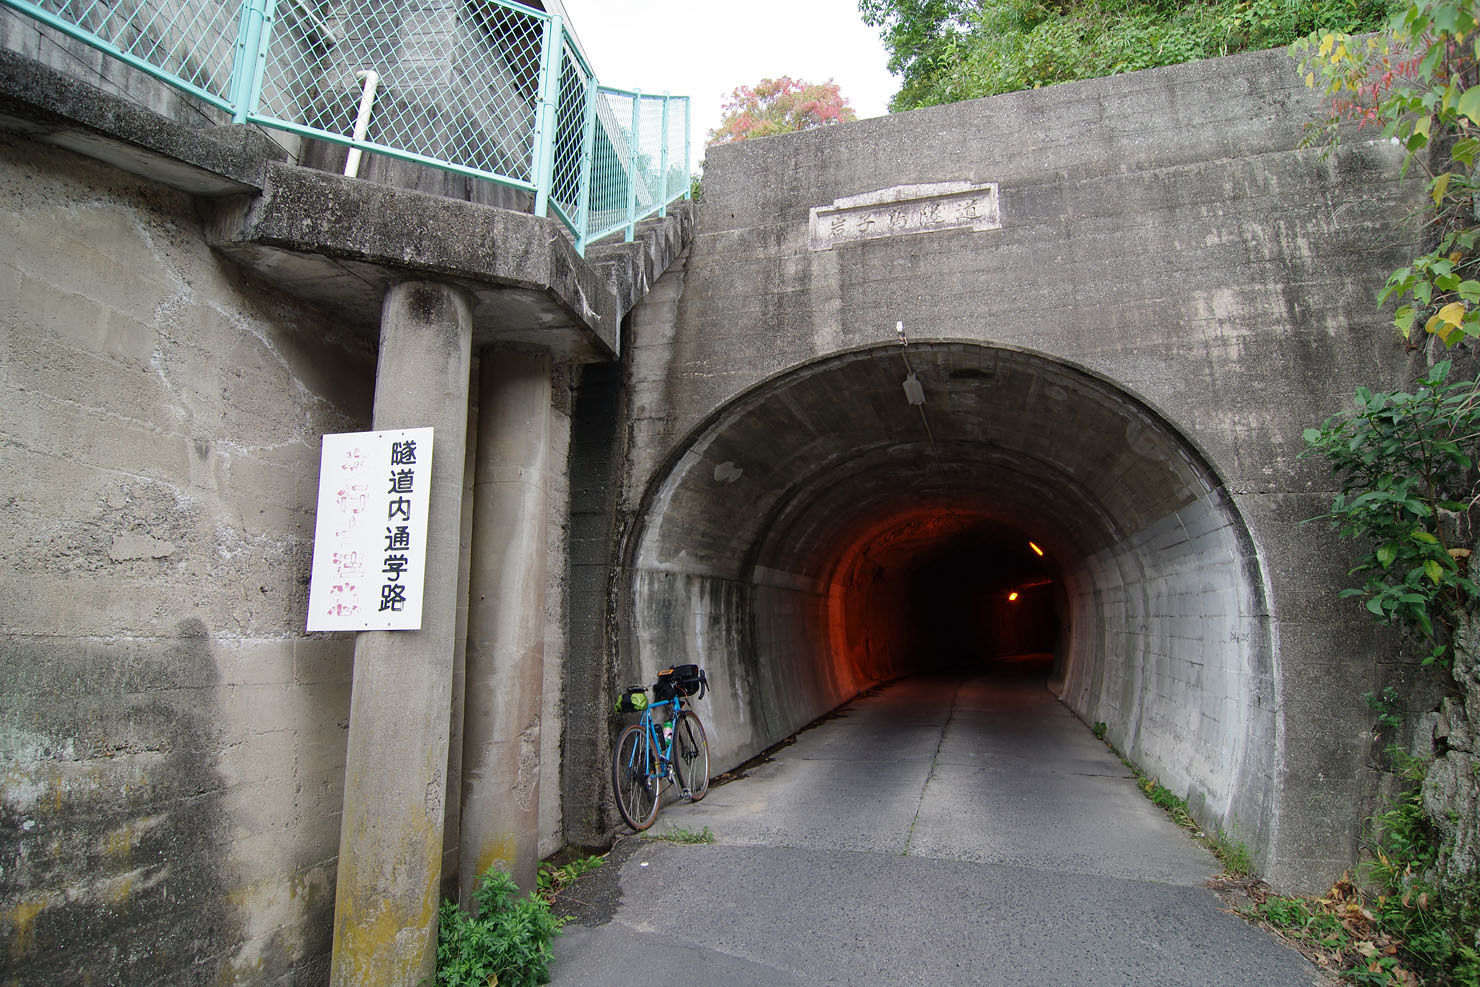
(341, 242)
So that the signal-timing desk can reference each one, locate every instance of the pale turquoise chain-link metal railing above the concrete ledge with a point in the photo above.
(485, 88)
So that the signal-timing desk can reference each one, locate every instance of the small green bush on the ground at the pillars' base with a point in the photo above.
(508, 942)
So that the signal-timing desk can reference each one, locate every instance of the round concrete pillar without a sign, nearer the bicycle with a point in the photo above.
(501, 795)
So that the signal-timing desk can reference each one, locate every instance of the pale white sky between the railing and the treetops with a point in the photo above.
(704, 50)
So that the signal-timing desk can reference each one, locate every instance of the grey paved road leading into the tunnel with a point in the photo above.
(933, 834)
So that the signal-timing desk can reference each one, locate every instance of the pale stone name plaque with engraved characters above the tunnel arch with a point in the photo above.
(904, 211)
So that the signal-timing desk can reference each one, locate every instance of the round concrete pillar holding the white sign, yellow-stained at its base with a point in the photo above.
(391, 837)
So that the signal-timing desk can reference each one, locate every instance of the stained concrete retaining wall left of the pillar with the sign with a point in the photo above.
(172, 742)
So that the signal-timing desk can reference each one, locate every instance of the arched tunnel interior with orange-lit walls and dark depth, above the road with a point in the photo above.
(948, 508)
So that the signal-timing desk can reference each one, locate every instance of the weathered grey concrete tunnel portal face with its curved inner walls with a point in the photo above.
(1123, 371)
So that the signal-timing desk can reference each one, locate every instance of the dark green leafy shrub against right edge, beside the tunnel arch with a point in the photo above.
(1402, 464)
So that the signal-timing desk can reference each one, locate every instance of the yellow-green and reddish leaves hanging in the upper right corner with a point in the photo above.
(1420, 81)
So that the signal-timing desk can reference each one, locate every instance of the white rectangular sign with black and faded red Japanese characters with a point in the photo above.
(371, 535)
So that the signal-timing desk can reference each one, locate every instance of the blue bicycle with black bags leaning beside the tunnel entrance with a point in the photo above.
(664, 748)
